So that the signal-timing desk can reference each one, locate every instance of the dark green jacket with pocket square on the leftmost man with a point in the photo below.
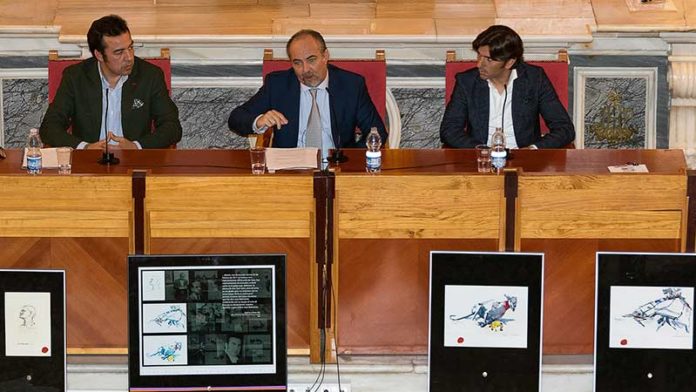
(78, 103)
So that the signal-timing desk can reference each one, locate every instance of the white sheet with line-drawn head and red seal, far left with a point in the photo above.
(27, 324)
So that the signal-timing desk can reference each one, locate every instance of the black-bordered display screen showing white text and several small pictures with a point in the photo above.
(207, 321)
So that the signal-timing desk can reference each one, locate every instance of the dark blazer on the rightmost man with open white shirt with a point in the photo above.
(465, 123)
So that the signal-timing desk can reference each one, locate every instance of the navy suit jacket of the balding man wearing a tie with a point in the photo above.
(351, 107)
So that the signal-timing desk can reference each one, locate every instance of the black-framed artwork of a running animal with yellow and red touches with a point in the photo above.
(485, 310)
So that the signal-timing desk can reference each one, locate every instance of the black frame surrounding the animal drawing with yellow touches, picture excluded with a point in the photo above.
(485, 368)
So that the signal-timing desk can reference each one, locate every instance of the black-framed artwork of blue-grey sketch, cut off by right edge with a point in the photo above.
(644, 319)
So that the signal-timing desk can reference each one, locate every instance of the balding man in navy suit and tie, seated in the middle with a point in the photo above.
(285, 101)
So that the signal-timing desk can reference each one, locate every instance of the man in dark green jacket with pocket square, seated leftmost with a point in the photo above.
(113, 96)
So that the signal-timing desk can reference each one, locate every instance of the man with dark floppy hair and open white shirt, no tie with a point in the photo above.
(505, 92)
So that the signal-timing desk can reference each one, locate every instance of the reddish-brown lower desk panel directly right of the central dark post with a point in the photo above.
(383, 286)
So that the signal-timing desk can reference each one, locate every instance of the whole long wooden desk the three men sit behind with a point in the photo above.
(382, 228)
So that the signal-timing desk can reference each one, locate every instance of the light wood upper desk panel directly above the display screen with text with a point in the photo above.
(244, 206)
